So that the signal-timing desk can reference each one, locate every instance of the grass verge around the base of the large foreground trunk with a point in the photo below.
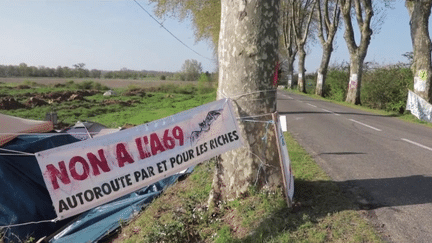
(322, 212)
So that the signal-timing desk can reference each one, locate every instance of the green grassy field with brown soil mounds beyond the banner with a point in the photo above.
(133, 105)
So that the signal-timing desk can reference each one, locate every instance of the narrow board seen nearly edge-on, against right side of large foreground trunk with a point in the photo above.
(287, 175)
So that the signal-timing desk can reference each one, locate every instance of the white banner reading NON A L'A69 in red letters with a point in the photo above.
(83, 175)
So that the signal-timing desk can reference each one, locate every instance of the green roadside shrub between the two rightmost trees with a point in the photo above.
(387, 88)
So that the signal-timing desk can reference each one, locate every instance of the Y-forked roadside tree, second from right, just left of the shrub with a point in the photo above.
(363, 11)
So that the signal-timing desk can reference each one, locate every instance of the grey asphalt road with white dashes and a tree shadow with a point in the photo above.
(386, 161)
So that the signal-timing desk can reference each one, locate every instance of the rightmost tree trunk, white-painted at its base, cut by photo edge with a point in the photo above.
(419, 12)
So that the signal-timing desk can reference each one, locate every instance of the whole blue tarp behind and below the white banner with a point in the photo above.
(24, 198)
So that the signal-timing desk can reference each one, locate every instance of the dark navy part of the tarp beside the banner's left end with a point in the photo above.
(23, 194)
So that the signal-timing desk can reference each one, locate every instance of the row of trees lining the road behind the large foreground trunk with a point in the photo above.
(301, 21)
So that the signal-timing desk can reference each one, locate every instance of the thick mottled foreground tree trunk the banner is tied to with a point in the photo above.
(248, 46)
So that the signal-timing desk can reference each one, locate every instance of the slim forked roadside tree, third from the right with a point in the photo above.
(328, 20)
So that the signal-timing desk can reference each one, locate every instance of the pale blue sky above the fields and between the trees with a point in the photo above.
(110, 35)
